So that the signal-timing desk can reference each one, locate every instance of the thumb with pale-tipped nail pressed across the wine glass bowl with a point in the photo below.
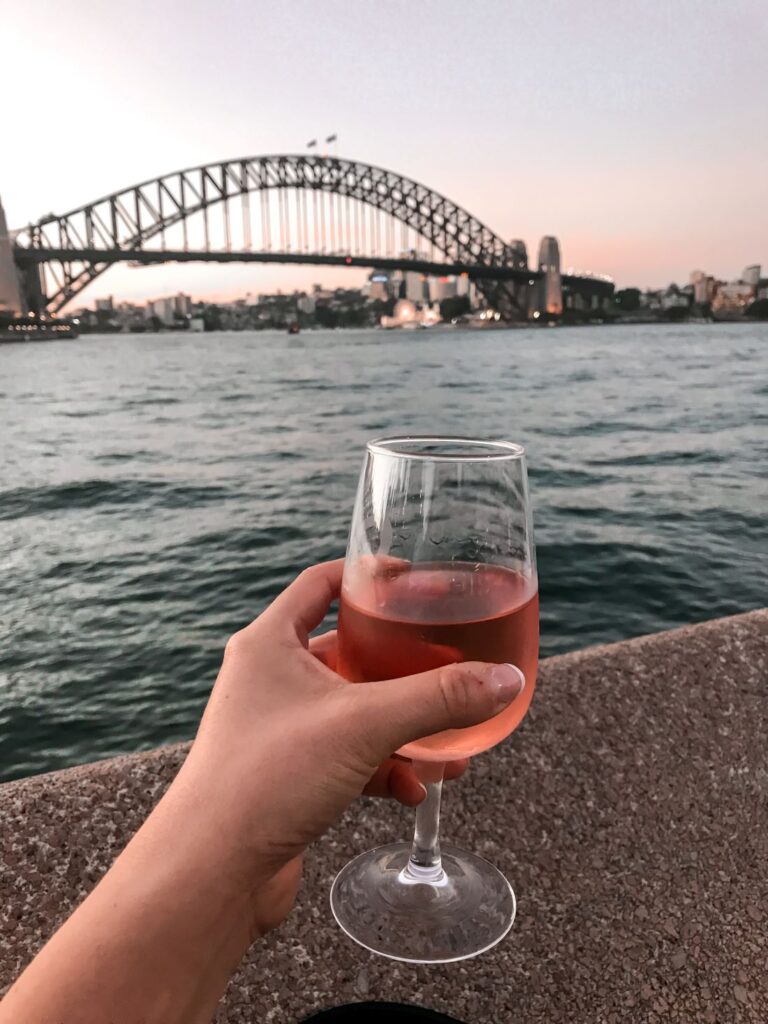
(401, 711)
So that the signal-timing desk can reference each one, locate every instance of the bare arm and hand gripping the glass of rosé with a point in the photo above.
(284, 747)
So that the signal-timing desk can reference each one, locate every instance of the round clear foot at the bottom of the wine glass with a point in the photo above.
(463, 912)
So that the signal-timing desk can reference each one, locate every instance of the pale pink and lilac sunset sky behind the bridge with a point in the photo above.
(636, 134)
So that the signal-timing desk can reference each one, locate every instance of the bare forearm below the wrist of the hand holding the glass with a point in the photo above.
(158, 940)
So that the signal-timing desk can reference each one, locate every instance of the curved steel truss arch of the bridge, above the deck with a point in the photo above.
(87, 241)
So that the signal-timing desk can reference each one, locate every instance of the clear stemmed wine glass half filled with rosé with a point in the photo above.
(441, 568)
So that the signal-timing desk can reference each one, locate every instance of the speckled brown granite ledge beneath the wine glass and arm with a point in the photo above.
(629, 812)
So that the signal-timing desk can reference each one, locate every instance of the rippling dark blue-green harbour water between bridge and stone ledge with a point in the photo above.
(157, 492)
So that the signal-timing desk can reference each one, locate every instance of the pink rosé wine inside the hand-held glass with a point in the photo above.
(400, 620)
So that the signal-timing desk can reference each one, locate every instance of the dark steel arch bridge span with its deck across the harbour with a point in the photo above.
(290, 209)
